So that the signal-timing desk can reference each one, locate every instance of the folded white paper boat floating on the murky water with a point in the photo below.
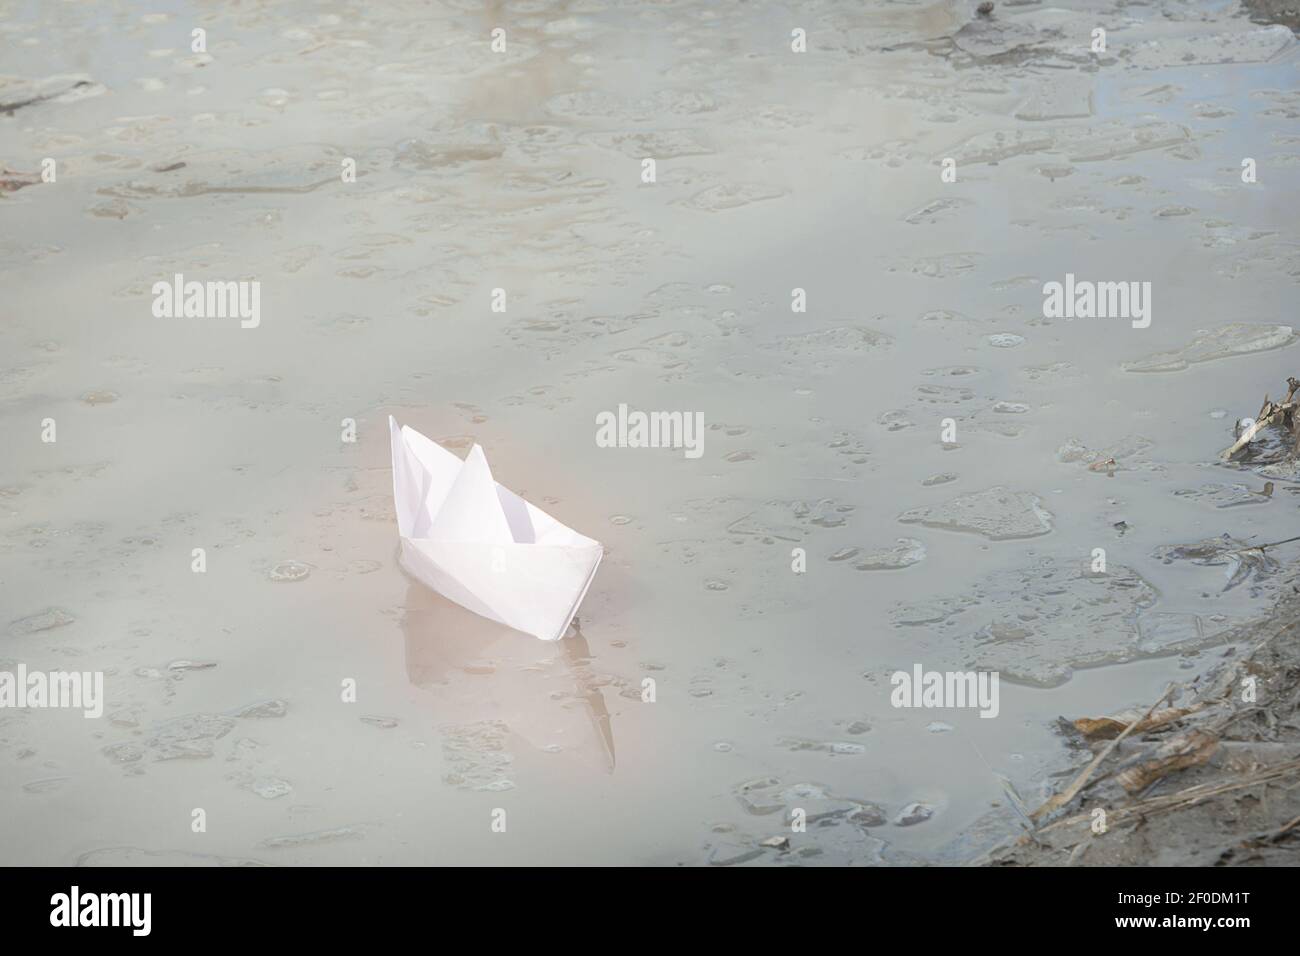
(484, 547)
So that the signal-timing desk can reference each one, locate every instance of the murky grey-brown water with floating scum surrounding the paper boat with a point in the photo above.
(523, 171)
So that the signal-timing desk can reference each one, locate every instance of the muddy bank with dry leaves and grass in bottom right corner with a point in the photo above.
(1206, 777)
